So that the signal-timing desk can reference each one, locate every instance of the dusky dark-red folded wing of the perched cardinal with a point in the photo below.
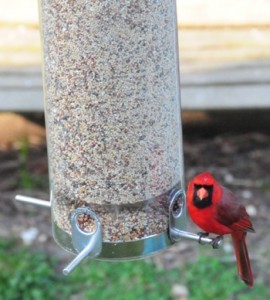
(232, 214)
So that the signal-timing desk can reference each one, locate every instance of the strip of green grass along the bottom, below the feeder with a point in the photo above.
(31, 275)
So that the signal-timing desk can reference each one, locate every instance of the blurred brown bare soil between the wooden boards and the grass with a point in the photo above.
(235, 147)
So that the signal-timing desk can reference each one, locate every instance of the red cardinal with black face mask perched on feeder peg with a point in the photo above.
(215, 210)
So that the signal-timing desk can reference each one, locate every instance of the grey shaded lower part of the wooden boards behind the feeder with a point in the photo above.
(242, 86)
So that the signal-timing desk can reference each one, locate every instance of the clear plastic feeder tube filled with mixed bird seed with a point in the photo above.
(112, 104)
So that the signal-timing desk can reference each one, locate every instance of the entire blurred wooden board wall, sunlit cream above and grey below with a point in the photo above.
(224, 57)
